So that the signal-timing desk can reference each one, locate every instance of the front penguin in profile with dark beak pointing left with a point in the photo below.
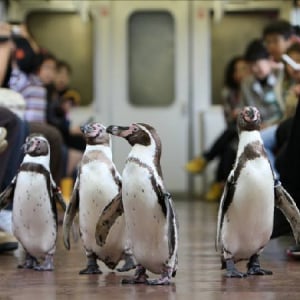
(149, 210)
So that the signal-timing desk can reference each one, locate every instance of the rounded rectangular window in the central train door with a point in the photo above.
(151, 58)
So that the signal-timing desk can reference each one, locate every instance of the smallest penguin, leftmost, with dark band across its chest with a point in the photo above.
(34, 195)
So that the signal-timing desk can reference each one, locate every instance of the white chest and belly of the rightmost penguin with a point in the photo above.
(248, 221)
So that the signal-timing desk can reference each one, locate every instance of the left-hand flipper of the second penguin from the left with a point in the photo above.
(70, 214)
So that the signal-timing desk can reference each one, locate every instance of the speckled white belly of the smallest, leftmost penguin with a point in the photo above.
(34, 222)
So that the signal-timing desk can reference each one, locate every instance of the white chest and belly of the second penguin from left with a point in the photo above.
(99, 184)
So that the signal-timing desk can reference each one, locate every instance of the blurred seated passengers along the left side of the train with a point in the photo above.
(44, 83)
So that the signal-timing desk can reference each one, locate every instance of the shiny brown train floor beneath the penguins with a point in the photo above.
(198, 277)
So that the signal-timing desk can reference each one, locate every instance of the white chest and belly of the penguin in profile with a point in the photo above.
(146, 223)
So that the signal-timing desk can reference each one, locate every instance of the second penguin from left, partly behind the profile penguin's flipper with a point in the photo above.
(97, 184)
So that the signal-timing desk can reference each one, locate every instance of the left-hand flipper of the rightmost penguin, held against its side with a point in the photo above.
(225, 201)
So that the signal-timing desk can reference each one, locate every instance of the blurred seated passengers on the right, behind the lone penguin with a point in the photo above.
(257, 78)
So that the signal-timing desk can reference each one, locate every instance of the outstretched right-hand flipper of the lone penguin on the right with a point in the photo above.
(285, 202)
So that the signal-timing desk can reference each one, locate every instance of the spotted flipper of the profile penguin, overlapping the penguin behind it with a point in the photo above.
(110, 213)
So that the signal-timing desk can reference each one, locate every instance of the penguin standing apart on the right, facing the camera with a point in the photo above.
(245, 217)
